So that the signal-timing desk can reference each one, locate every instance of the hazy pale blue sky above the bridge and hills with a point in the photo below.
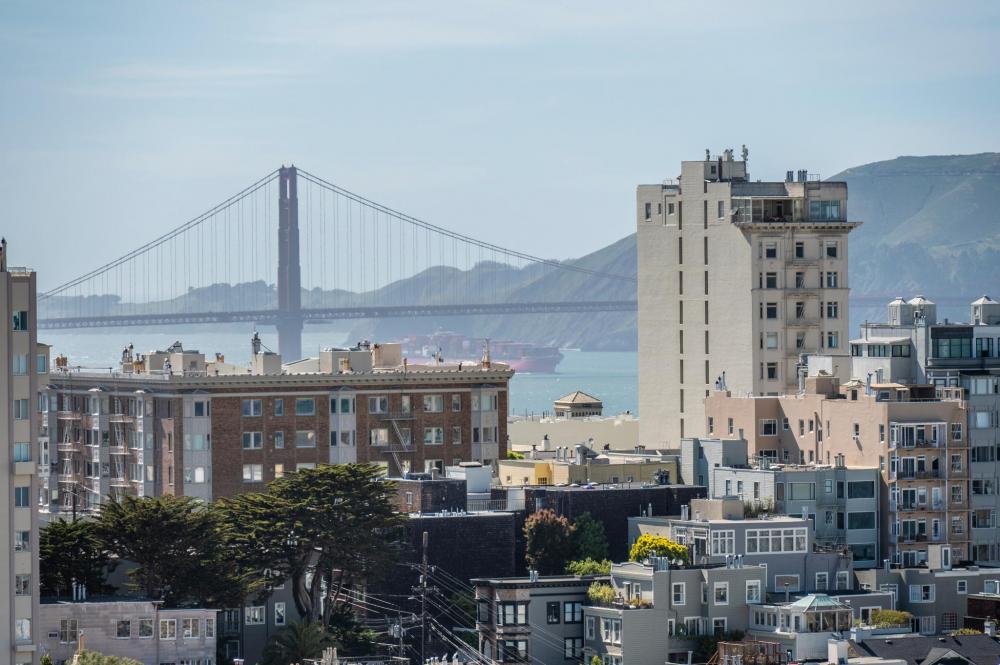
(527, 125)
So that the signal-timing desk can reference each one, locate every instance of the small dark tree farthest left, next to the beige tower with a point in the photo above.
(71, 552)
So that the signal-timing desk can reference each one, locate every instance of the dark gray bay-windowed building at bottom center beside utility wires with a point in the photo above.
(532, 619)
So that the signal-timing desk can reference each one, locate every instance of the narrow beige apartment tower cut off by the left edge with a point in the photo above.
(19, 376)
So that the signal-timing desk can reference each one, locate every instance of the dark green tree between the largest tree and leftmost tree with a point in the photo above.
(178, 547)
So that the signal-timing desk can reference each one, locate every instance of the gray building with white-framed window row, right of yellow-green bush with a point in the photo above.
(785, 545)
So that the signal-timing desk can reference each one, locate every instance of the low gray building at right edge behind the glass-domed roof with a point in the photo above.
(937, 593)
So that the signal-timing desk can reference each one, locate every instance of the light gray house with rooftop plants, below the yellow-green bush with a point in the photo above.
(659, 610)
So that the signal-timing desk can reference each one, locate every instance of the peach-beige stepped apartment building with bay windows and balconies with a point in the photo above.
(914, 434)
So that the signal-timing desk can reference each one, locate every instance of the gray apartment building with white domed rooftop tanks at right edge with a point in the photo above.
(912, 347)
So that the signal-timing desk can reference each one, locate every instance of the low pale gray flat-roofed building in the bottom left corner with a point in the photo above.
(137, 629)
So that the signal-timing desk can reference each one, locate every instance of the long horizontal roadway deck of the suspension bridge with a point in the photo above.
(271, 316)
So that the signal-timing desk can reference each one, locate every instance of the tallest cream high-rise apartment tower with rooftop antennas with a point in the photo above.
(736, 279)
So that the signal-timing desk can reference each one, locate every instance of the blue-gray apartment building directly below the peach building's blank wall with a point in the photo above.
(841, 503)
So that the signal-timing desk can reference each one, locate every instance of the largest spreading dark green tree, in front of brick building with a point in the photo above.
(322, 528)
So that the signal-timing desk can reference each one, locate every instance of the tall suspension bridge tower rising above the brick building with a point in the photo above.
(289, 269)
